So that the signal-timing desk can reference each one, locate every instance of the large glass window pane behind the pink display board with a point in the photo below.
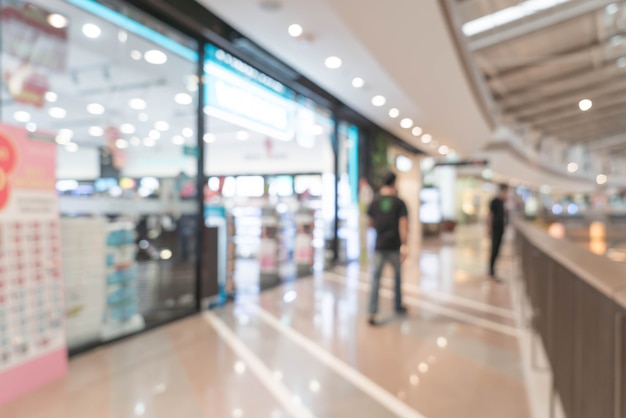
(118, 100)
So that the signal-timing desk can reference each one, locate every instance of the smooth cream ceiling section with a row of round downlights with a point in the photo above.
(405, 53)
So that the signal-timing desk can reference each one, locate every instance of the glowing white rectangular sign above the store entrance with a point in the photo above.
(250, 104)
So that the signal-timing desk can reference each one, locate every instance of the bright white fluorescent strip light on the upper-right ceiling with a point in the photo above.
(508, 15)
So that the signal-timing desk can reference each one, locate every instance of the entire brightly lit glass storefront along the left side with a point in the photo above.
(132, 136)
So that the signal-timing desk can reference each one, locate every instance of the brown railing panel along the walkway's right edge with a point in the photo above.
(579, 309)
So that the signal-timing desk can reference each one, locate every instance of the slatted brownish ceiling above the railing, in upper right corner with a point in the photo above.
(539, 67)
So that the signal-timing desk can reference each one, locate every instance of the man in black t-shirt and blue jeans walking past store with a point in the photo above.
(389, 216)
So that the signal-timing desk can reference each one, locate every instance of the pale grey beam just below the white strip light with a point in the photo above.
(559, 15)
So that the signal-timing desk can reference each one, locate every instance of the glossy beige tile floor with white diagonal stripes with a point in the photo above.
(305, 350)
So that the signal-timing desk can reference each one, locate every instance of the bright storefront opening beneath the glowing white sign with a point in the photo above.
(269, 158)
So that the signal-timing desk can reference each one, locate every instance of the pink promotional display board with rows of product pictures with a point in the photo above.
(32, 337)
